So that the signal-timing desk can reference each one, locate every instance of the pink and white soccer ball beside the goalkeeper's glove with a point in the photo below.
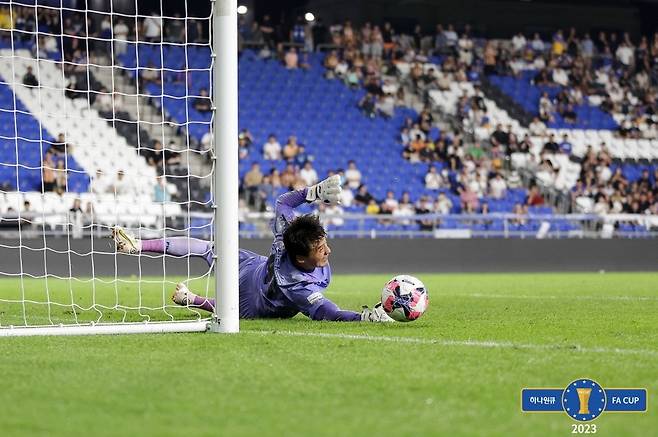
(404, 298)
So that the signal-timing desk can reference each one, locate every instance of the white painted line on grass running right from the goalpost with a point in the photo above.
(465, 343)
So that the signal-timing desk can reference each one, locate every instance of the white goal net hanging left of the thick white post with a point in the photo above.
(105, 120)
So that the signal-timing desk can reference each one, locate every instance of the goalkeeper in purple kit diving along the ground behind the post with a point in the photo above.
(292, 279)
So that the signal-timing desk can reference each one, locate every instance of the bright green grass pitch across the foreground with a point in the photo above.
(458, 370)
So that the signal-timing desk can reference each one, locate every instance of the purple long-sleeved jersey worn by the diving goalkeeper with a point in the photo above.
(275, 287)
